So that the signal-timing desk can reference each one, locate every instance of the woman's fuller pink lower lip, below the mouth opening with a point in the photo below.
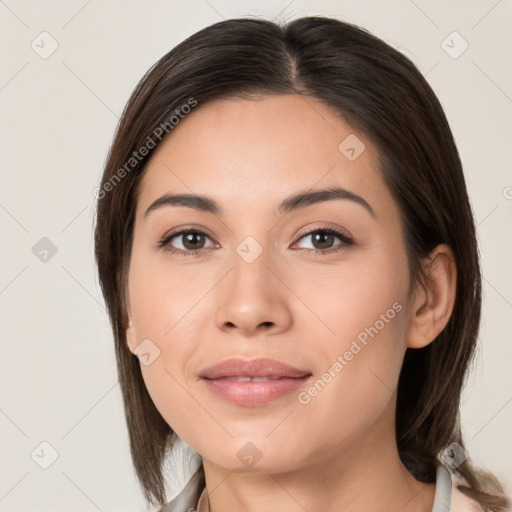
(254, 394)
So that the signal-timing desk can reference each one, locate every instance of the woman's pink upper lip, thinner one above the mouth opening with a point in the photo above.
(262, 367)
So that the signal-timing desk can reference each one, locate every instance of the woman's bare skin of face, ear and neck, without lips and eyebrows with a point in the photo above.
(290, 304)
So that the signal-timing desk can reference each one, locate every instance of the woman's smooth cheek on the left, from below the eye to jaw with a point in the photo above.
(167, 310)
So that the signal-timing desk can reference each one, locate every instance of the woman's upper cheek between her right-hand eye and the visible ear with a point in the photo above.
(352, 296)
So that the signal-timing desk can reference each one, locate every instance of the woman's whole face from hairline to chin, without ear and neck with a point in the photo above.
(249, 284)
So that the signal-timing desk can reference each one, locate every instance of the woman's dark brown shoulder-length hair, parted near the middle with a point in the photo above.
(376, 90)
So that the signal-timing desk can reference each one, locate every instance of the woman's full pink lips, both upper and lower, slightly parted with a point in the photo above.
(253, 383)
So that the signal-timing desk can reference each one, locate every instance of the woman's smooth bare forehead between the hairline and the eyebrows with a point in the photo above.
(251, 152)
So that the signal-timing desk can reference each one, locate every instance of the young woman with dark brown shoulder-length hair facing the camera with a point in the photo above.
(287, 252)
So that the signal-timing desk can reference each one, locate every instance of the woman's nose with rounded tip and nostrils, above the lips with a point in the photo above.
(253, 297)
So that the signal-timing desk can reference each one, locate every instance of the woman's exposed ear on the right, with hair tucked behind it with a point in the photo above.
(434, 299)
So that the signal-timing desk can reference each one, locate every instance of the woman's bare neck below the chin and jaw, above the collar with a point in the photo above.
(367, 475)
